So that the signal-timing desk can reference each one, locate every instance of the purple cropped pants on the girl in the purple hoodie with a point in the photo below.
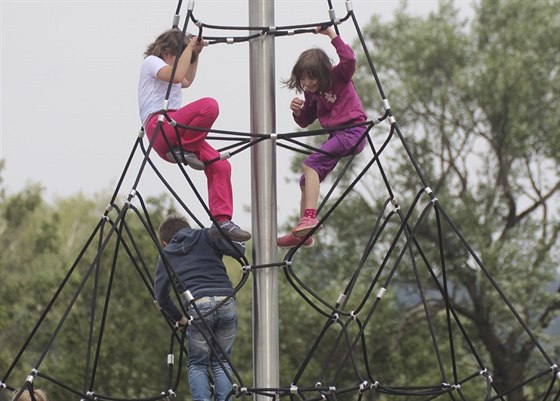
(337, 146)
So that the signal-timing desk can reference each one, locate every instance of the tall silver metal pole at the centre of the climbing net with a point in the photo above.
(263, 198)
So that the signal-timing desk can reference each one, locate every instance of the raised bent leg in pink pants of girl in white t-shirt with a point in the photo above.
(201, 114)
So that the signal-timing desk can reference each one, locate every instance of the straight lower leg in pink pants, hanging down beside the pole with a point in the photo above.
(218, 175)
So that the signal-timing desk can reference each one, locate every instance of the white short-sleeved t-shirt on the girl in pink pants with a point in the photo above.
(152, 91)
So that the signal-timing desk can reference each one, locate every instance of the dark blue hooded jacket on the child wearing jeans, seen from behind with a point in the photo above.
(196, 258)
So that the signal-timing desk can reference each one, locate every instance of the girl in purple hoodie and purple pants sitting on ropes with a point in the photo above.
(330, 97)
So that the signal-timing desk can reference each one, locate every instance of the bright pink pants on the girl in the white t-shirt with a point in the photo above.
(201, 114)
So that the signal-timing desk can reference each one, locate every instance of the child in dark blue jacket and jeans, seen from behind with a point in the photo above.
(196, 258)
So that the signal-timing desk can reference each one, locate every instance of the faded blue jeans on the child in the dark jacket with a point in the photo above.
(223, 325)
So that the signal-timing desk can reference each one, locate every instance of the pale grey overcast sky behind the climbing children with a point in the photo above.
(69, 74)
